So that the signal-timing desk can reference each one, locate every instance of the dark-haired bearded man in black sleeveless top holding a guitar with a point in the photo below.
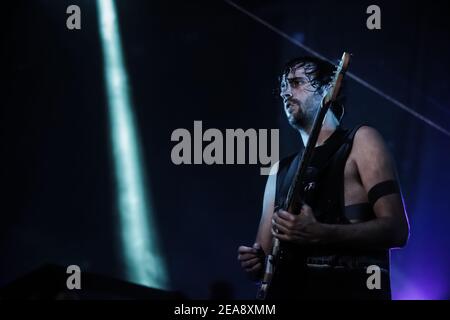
(354, 215)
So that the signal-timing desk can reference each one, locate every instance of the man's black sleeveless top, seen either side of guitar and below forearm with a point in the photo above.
(327, 201)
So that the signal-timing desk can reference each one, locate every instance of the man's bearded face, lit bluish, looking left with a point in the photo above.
(300, 99)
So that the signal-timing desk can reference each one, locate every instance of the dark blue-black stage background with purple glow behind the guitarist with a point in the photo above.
(205, 60)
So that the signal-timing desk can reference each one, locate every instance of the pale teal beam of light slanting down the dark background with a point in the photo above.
(144, 262)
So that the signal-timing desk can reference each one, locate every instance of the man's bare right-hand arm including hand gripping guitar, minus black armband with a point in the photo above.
(390, 227)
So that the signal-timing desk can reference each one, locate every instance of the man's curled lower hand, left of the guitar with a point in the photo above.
(252, 260)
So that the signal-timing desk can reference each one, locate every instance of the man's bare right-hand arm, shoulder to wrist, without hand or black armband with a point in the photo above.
(390, 227)
